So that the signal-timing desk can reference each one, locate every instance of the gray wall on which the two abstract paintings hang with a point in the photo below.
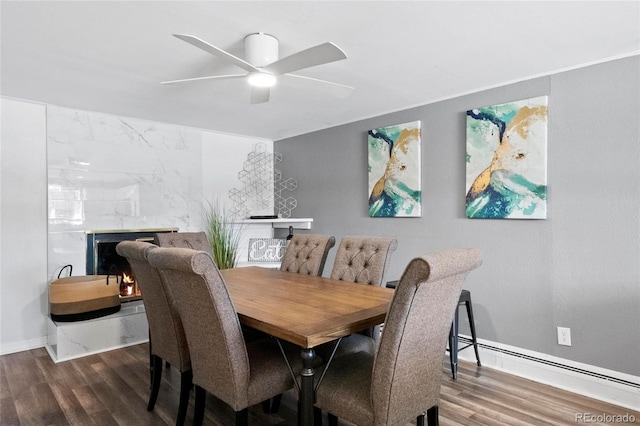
(579, 268)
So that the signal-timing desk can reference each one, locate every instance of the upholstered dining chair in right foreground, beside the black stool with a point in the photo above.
(402, 379)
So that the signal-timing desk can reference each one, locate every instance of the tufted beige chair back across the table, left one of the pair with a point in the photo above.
(307, 253)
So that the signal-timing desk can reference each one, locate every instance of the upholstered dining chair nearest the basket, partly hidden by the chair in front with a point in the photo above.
(167, 340)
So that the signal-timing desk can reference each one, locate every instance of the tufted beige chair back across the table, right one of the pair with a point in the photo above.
(362, 259)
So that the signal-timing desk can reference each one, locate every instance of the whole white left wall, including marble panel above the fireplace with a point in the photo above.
(170, 170)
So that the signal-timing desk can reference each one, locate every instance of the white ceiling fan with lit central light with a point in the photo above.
(263, 68)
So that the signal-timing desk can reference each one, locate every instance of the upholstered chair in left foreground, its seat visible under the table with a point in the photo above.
(239, 373)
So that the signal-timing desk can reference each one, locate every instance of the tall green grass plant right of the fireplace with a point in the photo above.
(223, 235)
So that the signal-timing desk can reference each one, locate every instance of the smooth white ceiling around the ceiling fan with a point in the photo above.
(110, 56)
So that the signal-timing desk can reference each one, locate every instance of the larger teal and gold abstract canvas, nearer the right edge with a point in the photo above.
(507, 160)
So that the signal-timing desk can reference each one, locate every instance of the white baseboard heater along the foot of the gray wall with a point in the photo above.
(599, 383)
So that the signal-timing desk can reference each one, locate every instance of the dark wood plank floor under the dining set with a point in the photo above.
(112, 389)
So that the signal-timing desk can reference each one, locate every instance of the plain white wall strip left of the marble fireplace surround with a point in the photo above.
(23, 226)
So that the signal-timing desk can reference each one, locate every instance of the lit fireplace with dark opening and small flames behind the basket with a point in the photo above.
(102, 258)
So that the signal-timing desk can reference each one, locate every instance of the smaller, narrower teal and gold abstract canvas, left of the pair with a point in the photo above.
(394, 171)
